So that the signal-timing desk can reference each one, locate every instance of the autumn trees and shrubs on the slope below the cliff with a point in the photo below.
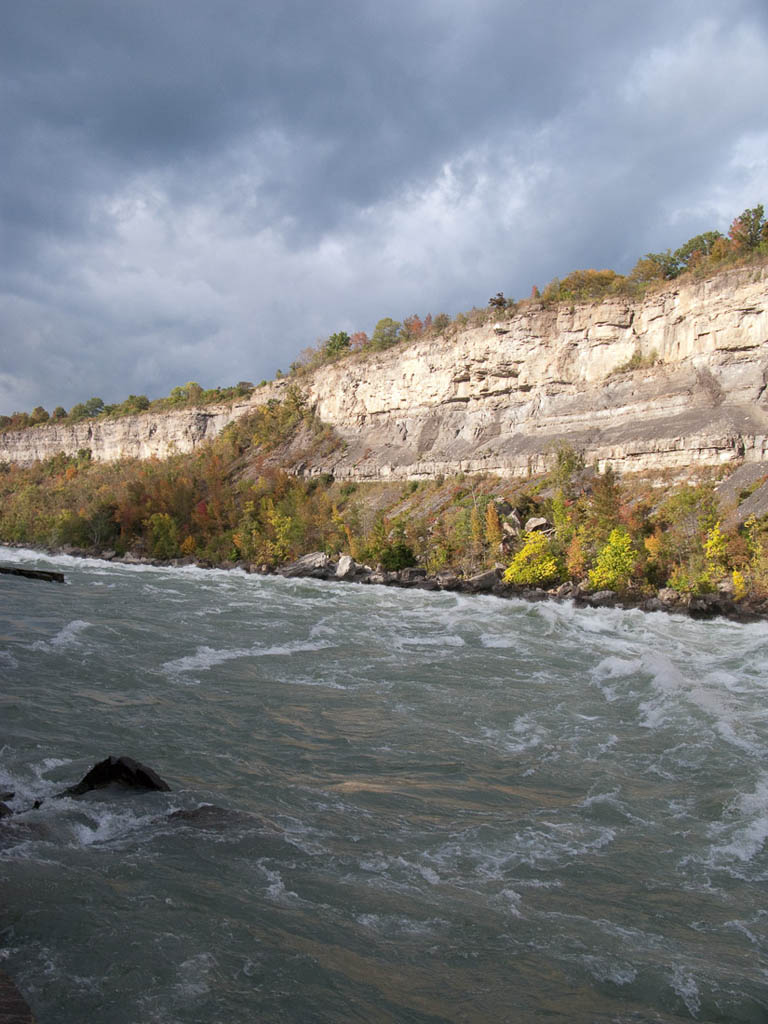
(230, 502)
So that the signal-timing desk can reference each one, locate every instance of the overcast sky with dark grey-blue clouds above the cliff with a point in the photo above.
(197, 191)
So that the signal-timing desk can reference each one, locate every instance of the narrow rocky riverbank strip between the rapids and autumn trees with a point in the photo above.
(318, 566)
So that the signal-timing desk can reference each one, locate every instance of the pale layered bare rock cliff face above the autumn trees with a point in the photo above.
(498, 398)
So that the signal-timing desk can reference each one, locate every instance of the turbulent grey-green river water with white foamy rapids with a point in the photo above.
(397, 806)
